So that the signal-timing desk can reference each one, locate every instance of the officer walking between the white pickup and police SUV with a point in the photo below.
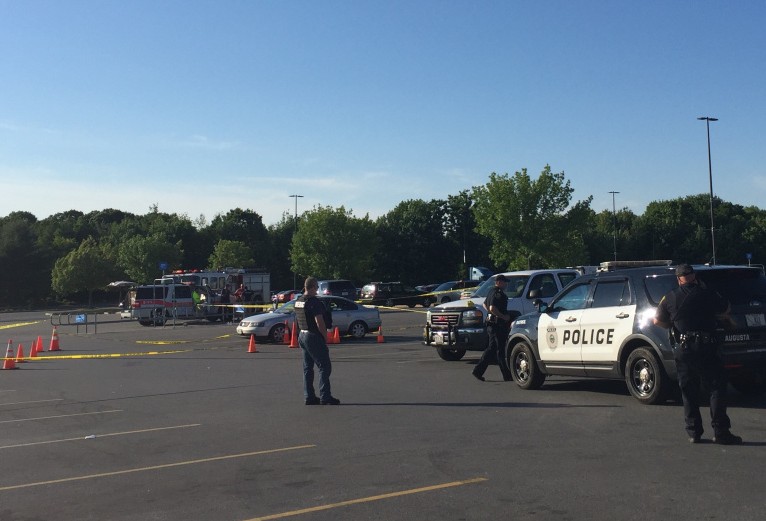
(498, 322)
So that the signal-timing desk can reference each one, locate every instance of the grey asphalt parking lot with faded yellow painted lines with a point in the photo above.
(182, 423)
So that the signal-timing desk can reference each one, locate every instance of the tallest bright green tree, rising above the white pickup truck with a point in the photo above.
(530, 221)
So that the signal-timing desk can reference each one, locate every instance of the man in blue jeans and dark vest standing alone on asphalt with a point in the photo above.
(310, 315)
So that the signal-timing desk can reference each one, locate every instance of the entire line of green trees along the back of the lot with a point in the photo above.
(513, 221)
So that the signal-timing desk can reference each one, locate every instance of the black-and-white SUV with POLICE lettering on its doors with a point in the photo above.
(601, 326)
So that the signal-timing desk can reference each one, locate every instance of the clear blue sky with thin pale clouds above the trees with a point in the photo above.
(204, 106)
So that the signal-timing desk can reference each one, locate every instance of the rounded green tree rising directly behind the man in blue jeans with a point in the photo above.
(332, 243)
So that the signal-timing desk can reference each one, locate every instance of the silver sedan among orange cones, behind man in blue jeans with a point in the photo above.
(349, 317)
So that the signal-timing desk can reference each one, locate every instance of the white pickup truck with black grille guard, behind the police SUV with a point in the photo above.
(456, 327)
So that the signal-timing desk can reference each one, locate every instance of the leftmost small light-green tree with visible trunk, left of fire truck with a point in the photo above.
(86, 268)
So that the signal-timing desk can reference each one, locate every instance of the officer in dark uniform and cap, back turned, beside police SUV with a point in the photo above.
(690, 310)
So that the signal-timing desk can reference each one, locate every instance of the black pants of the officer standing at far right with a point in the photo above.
(700, 366)
